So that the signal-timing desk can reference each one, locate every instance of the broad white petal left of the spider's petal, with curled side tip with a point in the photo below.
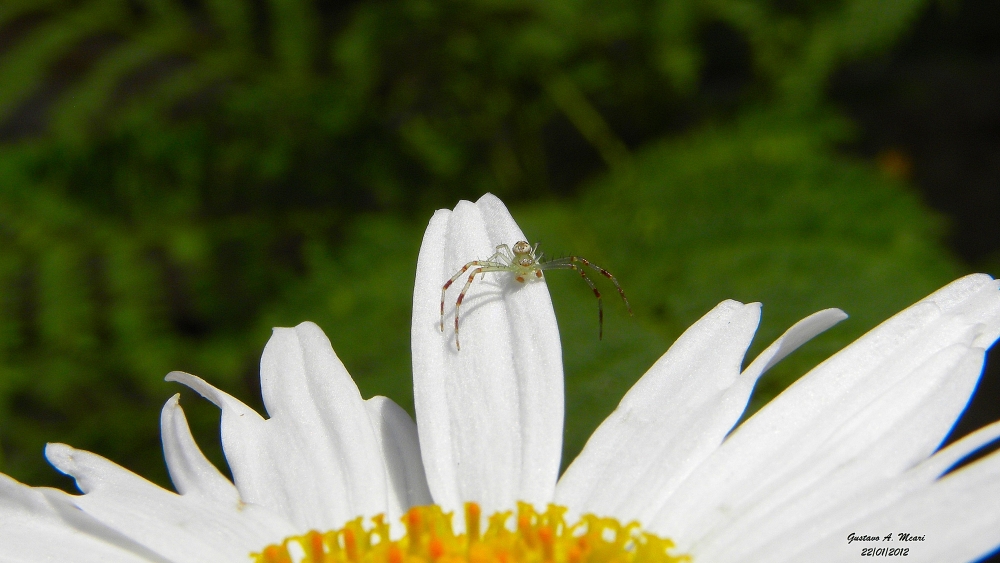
(317, 460)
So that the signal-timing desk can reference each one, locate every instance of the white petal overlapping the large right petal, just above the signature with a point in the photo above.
(857, 470)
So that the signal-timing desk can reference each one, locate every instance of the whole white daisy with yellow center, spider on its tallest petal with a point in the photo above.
(848, 449)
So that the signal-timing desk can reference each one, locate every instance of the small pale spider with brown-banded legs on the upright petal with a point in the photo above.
(522, 261)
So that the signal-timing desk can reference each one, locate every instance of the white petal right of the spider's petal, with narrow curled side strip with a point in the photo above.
(677, 414)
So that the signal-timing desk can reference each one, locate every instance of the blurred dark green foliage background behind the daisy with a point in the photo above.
(179, 176)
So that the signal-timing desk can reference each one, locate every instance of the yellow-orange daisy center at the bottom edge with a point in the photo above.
(540, 537)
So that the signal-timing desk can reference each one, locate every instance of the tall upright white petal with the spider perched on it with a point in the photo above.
(491, 415)
